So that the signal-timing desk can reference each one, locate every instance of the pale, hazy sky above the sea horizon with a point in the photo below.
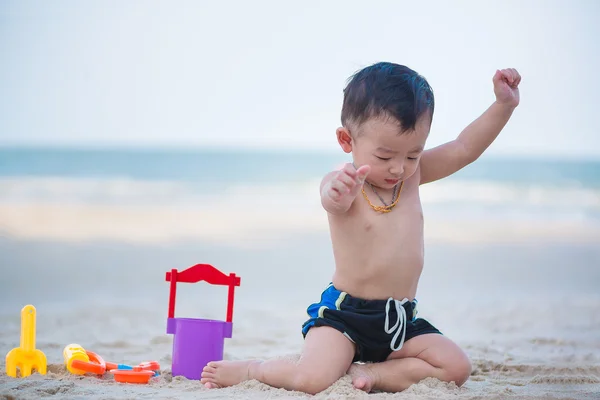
(270, 74)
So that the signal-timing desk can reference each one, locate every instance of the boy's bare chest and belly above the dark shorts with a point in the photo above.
(379, 254)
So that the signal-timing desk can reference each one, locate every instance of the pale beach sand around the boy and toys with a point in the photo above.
(526, 308)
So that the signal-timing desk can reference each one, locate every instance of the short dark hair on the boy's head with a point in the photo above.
(387, 89)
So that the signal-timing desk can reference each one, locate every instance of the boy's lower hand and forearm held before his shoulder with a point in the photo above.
(343, 187)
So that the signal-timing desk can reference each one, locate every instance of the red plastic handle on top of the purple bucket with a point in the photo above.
(202, 272)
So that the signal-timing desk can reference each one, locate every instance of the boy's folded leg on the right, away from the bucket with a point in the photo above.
(429, 355)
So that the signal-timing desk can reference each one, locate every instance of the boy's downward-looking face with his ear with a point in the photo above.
(393, 155)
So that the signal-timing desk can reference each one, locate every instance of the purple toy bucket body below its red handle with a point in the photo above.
(196, 342)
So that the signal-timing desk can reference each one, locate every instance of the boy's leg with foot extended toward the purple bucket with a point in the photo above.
(325, 358)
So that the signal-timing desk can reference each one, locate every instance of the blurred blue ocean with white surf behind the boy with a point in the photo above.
(492, 187)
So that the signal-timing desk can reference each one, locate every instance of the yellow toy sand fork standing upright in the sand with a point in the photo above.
(26, 357)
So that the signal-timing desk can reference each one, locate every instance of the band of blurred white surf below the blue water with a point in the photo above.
(125, 191)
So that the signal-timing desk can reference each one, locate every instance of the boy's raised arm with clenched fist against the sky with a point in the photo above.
(448, 158)
